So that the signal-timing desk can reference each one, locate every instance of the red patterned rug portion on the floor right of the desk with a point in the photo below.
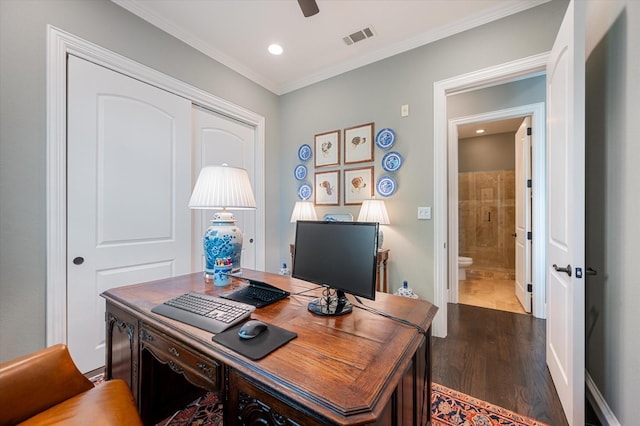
(450, 407)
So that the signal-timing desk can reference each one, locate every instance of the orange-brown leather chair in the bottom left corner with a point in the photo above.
(45, 387)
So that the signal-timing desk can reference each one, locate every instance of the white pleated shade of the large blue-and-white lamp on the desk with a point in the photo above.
(222, 187)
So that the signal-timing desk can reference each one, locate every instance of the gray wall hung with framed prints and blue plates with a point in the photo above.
(375, 93)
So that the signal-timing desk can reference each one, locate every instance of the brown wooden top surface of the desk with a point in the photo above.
(340, 366)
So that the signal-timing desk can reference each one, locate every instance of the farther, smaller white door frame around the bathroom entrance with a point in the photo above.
(538, 126)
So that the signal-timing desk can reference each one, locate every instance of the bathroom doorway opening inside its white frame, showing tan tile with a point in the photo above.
(487, 189)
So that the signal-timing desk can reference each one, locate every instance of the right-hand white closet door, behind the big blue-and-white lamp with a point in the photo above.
(218, 139)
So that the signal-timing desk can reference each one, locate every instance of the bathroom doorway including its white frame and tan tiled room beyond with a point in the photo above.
(482, 206)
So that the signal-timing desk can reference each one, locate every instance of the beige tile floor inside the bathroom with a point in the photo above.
(490, 293)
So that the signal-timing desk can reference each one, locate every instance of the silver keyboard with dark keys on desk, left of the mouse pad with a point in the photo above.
(209, 313)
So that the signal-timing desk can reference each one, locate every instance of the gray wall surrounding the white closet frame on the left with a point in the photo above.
(23, 138)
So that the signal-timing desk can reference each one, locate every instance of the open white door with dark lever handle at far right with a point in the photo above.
(565, 194)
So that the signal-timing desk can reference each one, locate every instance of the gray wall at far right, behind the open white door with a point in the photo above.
(613, 204)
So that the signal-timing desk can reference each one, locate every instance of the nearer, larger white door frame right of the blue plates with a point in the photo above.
(504, 73)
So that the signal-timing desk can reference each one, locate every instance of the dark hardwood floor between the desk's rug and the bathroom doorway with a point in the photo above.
(498, 357)
